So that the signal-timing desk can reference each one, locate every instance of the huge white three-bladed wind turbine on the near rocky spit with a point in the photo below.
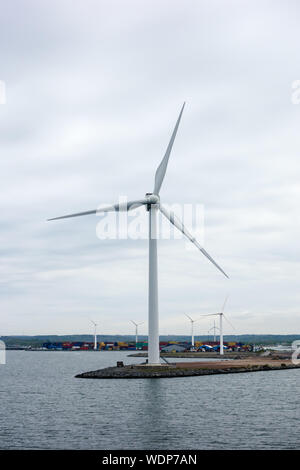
(152, 203)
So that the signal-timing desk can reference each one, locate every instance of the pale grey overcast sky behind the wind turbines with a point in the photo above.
(93, 90)
